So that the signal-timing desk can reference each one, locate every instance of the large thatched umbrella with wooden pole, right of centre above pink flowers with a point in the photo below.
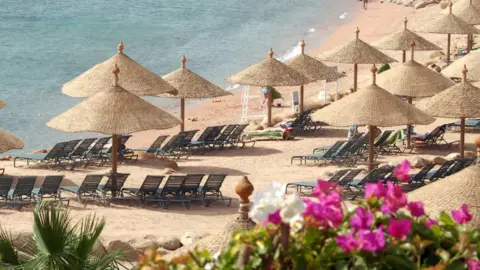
(372, 106)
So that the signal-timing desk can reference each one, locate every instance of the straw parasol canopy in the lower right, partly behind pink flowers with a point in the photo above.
(450, 193)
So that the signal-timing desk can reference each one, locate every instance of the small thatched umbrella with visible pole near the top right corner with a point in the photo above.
(448, 24)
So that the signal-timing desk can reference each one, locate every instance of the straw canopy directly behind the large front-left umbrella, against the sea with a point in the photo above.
(137, 79)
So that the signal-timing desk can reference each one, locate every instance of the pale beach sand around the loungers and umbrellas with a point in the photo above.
(268, 161)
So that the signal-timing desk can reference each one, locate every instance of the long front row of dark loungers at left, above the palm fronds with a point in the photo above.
(176, 188)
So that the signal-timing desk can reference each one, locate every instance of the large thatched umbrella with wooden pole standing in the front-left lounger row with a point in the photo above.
(113, 111)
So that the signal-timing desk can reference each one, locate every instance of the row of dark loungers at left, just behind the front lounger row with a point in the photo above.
(88, 151)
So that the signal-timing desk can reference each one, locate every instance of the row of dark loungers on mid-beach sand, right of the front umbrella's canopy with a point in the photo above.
(183, 145)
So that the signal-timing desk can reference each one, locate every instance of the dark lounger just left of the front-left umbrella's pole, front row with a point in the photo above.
(88, 190)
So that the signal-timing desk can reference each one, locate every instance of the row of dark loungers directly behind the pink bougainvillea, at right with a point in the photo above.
(347, 177)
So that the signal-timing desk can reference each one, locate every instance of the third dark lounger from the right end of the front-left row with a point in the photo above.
(173, 187)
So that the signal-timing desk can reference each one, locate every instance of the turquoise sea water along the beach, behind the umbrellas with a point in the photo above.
(46, 43)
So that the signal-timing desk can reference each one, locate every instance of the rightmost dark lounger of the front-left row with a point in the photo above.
(210, 191)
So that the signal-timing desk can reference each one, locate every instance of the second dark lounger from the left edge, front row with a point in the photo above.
(21, 194)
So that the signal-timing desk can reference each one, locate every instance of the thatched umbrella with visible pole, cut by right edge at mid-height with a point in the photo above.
(460, 101)
